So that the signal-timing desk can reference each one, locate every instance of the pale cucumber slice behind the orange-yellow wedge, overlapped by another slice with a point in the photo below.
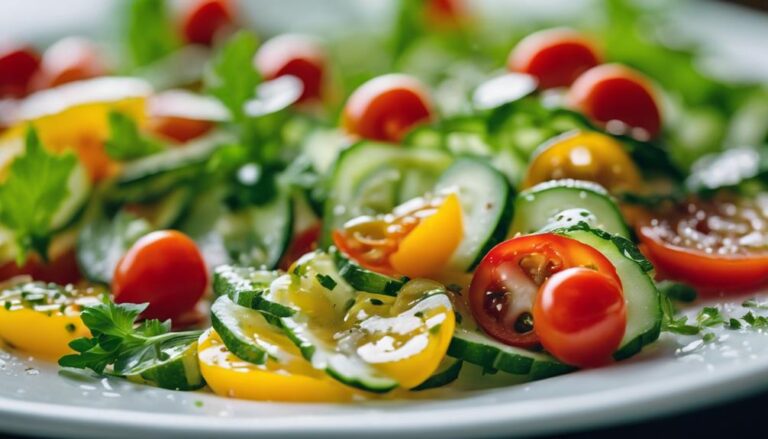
(417, 169)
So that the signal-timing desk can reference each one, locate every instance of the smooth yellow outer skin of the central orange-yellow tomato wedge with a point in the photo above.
(426, 250)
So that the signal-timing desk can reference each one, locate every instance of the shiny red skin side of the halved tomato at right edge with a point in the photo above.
(710, 274)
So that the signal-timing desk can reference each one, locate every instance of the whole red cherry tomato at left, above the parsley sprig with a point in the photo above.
(164, 269)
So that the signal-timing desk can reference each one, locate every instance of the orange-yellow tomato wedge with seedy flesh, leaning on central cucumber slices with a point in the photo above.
(416, 240)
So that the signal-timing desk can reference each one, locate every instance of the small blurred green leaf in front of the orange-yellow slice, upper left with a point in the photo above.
(125, 142)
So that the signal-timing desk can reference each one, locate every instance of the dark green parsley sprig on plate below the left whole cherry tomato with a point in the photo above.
(118, 343)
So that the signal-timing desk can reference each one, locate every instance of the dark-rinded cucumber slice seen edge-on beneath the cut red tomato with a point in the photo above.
(475, 347)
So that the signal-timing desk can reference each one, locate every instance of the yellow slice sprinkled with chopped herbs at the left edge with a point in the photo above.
(41, 320)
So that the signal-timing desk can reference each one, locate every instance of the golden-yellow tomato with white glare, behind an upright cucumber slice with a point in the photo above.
(589, 156)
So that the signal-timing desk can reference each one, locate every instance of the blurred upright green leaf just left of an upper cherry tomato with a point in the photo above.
(231, 77)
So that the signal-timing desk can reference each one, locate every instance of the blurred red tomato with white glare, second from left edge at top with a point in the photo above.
(70, 59)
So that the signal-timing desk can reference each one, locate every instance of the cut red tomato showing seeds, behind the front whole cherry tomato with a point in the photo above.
(510, 276)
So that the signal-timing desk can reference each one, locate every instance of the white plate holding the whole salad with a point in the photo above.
(675, 374)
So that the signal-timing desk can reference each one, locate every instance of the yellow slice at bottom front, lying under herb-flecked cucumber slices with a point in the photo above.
(294, 381)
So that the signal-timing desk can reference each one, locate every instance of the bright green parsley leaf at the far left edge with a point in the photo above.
(33, 192)
